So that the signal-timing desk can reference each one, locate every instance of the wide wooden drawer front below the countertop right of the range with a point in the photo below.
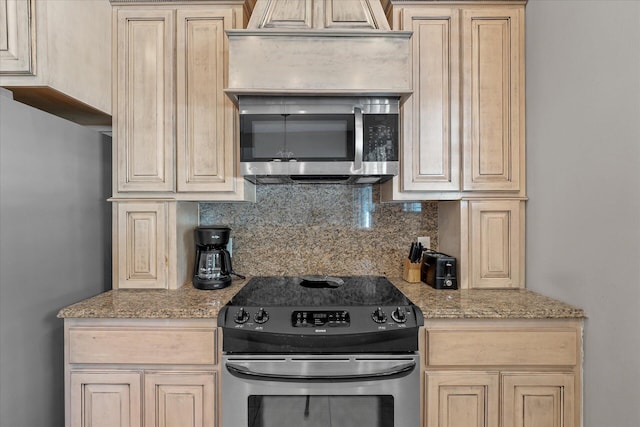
(507, 347)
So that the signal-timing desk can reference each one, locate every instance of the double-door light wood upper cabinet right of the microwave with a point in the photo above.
(463, 126)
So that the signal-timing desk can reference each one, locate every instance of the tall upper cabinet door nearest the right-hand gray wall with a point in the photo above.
(493, 98)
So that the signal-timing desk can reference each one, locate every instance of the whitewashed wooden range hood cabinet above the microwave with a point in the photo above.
(319, 47)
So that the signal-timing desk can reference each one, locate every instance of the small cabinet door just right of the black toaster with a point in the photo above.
(496, 244)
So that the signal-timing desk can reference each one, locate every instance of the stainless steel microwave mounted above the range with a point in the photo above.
(318, 139)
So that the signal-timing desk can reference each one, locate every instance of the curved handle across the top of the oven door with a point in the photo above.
(393, 372)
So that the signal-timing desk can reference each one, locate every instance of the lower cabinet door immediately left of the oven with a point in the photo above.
(180, 399)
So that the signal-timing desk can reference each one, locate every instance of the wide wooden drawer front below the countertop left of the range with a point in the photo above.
(195, 346)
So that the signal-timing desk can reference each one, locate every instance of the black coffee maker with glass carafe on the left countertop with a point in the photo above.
(212, 268)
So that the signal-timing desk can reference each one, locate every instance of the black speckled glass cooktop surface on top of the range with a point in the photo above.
(319, 291)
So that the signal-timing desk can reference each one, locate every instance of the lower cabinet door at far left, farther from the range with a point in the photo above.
(105, 399)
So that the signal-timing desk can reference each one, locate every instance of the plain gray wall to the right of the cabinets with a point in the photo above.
(583, 217)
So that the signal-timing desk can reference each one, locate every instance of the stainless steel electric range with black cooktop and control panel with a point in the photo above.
(320, 351)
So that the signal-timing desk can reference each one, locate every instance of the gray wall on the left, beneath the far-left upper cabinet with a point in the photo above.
(54, 250)
